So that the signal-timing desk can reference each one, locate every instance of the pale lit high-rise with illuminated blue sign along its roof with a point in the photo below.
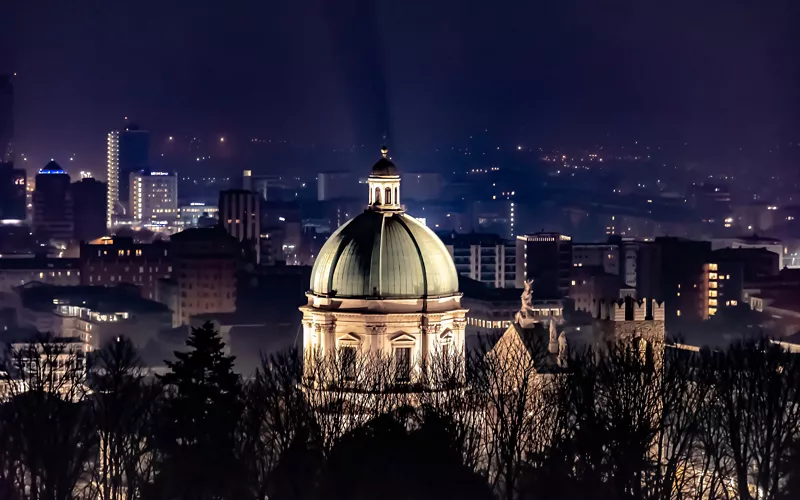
(154, 196)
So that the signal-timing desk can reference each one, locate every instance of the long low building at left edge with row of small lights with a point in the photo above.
(15, 272)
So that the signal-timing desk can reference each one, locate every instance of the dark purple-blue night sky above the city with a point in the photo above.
(427, 72)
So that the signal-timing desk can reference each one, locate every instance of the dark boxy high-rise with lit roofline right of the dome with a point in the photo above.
(545, 258)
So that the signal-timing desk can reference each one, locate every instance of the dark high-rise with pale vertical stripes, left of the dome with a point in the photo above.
(239, 215)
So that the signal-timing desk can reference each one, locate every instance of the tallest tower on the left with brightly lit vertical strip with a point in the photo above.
(127, 153)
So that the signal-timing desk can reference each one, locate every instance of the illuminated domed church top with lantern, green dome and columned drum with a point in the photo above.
(384, 284)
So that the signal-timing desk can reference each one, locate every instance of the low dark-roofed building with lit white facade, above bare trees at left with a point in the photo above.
(93, 314)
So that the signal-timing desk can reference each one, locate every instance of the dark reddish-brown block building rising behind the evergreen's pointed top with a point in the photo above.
(204, 279)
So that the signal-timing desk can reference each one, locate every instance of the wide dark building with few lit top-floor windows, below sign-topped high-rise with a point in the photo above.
(110, 261)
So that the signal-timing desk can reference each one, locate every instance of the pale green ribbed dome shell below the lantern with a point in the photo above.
(386, 255)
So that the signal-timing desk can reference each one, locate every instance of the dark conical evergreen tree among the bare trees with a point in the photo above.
(198, 435)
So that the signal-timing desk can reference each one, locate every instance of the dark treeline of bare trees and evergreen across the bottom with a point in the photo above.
(620, 423)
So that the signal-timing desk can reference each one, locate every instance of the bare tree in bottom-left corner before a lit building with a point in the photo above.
(47, 426)
